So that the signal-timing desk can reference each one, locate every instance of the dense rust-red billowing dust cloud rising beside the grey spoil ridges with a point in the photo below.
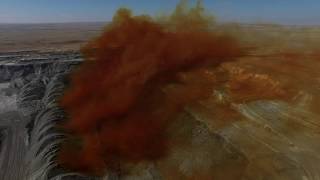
(137, 77)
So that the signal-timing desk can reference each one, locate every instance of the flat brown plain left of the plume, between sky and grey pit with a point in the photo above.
(68, 36)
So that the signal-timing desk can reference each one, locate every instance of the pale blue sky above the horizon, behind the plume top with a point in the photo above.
(248, 11)
